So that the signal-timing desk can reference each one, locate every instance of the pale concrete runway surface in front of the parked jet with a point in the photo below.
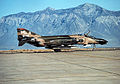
(79, 67)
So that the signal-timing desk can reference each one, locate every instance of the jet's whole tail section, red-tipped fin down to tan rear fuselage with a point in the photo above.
(26, 36)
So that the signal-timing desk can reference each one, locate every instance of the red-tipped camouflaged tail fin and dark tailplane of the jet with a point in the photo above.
(24, 36)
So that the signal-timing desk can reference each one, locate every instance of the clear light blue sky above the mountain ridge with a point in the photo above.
(15, 6)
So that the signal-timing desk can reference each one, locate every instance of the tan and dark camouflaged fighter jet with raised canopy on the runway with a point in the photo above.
(57, 42)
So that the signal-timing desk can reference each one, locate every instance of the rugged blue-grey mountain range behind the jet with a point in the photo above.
(101, 22)
